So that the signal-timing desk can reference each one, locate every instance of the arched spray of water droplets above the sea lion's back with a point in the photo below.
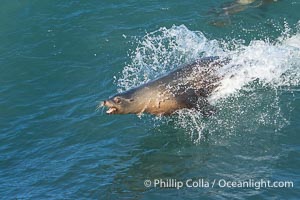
(163, 50)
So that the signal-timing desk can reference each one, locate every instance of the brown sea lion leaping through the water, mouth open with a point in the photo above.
(186, 87)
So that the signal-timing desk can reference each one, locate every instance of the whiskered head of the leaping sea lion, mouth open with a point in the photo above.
(120, 104)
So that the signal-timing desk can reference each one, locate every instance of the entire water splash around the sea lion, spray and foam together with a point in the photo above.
(249, 96)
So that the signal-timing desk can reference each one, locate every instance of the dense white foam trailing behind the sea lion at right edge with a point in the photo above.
(270, 64)
